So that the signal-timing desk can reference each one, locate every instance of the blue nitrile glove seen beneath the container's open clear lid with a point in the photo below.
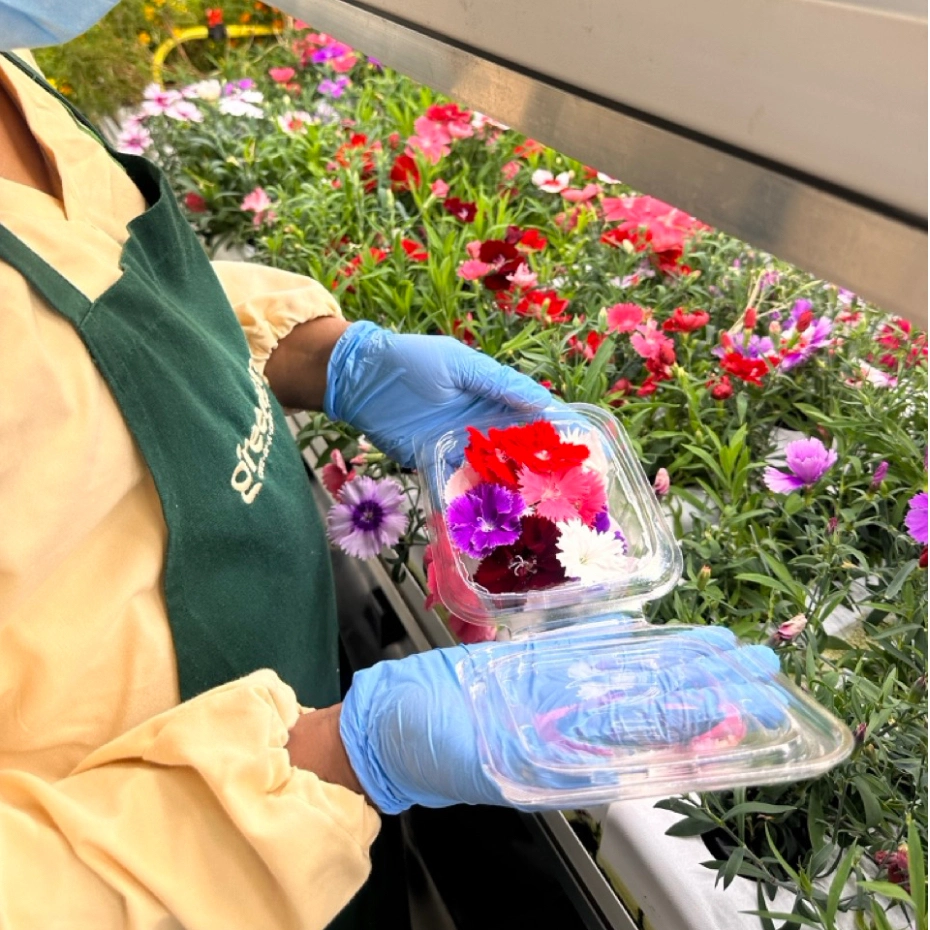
(411, 739)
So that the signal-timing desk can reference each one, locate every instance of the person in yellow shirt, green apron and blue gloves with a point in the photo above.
(166, 604)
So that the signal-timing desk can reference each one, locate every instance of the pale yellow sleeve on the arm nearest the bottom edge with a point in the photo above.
(193, 819)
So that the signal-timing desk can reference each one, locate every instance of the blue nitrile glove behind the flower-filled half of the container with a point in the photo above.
(395, 388)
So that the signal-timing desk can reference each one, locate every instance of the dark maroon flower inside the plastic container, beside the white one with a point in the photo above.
(529, 564)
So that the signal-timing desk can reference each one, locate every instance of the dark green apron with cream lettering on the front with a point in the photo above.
(247, 573)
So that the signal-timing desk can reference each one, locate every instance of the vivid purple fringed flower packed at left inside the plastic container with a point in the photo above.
(484, 518)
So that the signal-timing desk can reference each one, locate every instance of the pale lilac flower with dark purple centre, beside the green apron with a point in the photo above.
(369, 516)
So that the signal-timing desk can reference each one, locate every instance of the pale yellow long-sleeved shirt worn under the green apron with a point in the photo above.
(120, 806)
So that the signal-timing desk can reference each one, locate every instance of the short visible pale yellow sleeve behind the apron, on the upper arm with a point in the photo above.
(270, 302)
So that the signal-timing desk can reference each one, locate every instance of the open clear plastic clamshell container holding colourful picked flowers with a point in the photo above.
(587, 703)
